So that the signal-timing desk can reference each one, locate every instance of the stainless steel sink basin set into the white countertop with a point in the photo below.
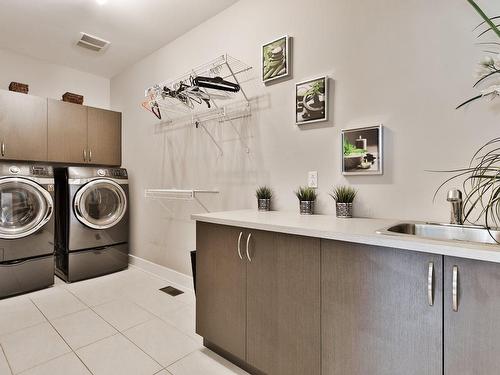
(445, 232)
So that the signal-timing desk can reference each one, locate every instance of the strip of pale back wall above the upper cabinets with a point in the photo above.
(52, 81)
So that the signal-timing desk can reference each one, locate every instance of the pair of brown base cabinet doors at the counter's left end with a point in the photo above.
(260, 303)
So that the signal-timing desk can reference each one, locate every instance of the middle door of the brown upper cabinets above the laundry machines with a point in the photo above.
(67, 132)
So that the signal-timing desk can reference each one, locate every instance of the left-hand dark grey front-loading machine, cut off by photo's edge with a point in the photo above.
(26, 228)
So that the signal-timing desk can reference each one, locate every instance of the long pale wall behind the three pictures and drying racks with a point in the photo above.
(406, 64)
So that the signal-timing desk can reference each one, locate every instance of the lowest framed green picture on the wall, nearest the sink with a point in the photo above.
(362, 151)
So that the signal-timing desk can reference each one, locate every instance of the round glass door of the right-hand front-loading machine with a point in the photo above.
(100, 204)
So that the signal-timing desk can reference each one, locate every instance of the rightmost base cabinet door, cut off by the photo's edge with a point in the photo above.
(472, 333)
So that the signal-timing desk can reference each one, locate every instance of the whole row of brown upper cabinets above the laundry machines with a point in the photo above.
(38, 129)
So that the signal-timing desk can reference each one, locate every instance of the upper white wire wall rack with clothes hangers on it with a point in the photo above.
(210, 92)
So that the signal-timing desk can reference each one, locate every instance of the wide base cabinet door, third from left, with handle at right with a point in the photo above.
(376, 317)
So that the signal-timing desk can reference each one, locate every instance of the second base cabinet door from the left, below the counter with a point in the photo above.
(283, 304)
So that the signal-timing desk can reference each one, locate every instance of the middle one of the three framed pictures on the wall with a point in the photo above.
(311, 101)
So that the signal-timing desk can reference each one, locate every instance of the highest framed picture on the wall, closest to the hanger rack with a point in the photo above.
(276, 59)
